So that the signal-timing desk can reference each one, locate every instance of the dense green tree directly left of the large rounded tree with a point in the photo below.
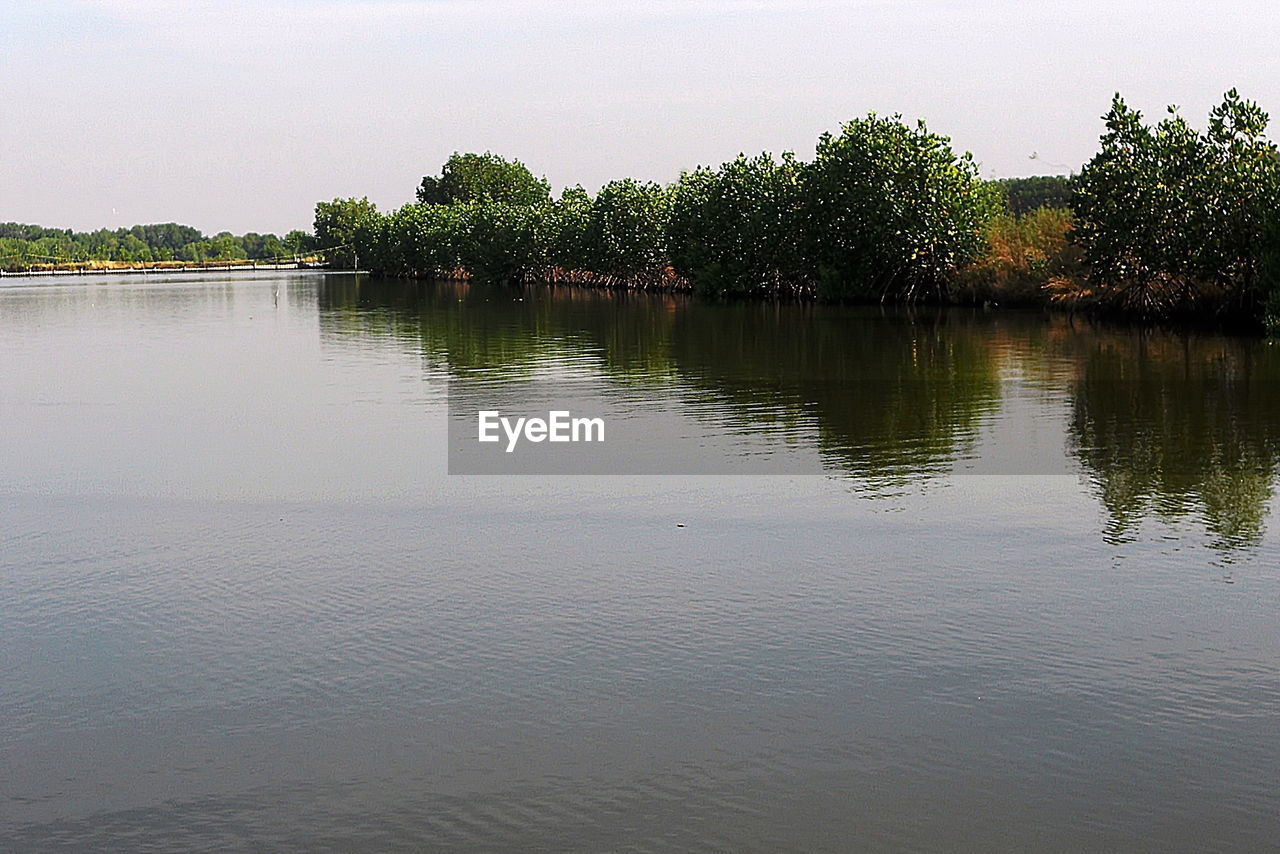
(737, 230)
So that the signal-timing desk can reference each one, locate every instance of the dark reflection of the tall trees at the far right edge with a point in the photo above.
(1174, 427)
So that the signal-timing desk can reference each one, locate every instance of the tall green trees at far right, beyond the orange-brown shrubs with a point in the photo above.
(1172, 218)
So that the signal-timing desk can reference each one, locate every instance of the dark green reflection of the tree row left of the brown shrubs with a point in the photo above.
(890, 396)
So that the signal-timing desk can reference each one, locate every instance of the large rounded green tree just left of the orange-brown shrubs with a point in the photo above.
(892, 212)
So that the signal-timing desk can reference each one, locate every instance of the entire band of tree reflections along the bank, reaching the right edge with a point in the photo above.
(1165, 426)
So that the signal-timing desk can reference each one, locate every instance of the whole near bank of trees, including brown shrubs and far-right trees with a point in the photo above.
(1164, 222)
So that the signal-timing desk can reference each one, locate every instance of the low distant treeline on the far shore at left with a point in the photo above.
(26, 245)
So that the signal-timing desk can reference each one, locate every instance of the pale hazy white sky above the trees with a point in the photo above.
(240, 116)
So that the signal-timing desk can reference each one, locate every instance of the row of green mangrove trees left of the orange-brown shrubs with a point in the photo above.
(885, 211)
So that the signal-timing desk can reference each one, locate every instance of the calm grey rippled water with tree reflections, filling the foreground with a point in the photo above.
(244, 606)
